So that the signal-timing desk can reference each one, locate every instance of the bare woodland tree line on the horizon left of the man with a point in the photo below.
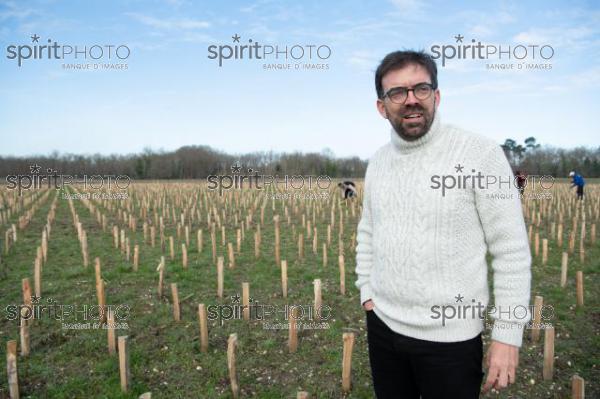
(189, 162)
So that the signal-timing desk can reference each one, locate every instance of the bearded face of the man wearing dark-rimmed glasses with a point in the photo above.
(413, 118)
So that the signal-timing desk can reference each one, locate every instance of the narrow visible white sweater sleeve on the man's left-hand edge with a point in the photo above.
(364, 248)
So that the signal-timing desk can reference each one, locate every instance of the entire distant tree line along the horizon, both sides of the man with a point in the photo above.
(199, 162)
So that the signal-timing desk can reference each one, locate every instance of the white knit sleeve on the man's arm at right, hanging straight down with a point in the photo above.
(501, 217)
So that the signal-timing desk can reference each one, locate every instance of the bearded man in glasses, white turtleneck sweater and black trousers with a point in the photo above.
(437, 199)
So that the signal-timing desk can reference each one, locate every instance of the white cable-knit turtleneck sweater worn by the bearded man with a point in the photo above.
(417, 249)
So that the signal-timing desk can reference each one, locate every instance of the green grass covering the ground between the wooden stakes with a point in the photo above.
(165, 355)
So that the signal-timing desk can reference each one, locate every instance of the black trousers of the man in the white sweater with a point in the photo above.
(406, 367)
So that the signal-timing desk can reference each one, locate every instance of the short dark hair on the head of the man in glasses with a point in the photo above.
(400, 59)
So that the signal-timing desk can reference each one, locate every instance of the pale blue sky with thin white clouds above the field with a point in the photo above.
(173, 95)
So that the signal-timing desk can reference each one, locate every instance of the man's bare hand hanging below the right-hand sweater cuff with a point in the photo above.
(501, 361)
